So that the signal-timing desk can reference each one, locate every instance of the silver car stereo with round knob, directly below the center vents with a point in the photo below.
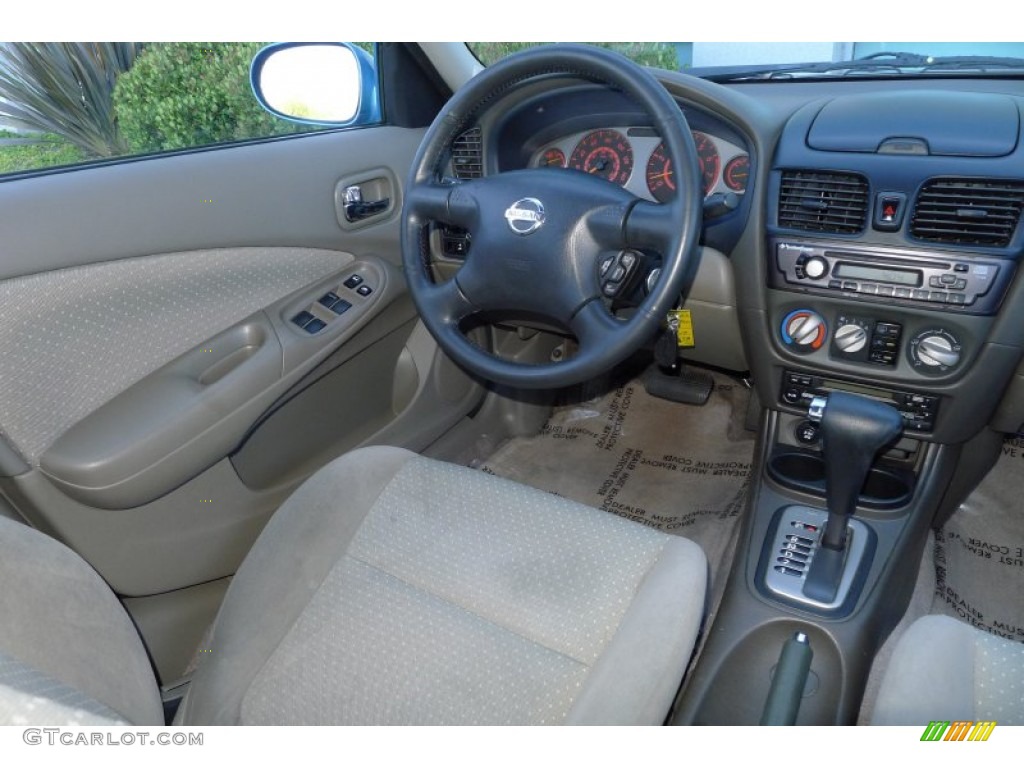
(960, 282)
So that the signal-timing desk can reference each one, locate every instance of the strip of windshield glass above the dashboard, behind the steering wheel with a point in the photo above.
(778, 60)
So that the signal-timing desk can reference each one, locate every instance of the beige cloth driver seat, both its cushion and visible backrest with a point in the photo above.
(389, 589)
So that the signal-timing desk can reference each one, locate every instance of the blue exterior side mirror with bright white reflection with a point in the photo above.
(329, 84)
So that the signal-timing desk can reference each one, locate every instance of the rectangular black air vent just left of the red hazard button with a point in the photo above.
(824, 202)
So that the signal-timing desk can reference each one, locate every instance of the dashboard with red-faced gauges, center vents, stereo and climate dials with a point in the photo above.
(874, 239)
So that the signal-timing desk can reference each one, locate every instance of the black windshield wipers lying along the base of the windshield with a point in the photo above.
(894, 63)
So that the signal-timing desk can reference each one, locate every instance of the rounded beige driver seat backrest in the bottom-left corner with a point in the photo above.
(65, 638)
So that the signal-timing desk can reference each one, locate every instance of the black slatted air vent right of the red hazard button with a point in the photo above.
(980, 212)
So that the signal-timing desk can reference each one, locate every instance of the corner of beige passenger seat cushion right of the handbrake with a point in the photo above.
(944, 669)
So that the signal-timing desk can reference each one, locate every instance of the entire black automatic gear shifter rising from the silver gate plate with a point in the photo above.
(855, 430)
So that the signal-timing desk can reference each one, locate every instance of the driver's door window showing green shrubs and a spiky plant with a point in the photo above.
(65, 104)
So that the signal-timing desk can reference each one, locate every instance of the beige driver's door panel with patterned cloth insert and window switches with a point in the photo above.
(116, 281)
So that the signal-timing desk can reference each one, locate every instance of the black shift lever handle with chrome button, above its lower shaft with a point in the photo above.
(855, 430)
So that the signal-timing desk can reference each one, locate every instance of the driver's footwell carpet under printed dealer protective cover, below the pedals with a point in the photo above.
(676, 467)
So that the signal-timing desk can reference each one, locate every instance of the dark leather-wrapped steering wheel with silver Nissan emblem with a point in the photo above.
(540, 236)
